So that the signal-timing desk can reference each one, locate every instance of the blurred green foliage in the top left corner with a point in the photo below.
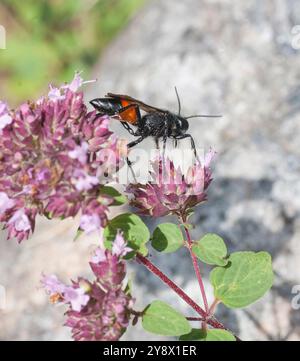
(47, 40)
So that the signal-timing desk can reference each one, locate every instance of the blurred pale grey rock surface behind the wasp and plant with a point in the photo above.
(224, 56)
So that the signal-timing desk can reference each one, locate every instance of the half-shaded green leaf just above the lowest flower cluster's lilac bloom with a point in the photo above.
(134, 230)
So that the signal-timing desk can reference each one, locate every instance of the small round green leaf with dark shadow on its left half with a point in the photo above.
(167, 238)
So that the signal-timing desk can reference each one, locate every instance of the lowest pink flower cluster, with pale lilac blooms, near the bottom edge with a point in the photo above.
(98, 310)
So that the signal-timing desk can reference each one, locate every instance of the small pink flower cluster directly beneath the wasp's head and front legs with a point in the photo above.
(170, 191)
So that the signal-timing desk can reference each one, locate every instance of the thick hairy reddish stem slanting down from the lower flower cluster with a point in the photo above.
(153, 269)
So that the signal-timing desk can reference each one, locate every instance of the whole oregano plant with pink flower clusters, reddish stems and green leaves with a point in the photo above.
(57, 160)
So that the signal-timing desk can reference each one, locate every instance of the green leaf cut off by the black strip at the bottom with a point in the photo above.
(209, 335)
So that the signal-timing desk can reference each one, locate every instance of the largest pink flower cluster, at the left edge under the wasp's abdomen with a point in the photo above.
(53, 156)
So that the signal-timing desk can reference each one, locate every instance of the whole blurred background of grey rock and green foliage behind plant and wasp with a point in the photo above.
(240, 59)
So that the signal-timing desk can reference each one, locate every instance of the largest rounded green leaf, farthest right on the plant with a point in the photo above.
(247, 277)
